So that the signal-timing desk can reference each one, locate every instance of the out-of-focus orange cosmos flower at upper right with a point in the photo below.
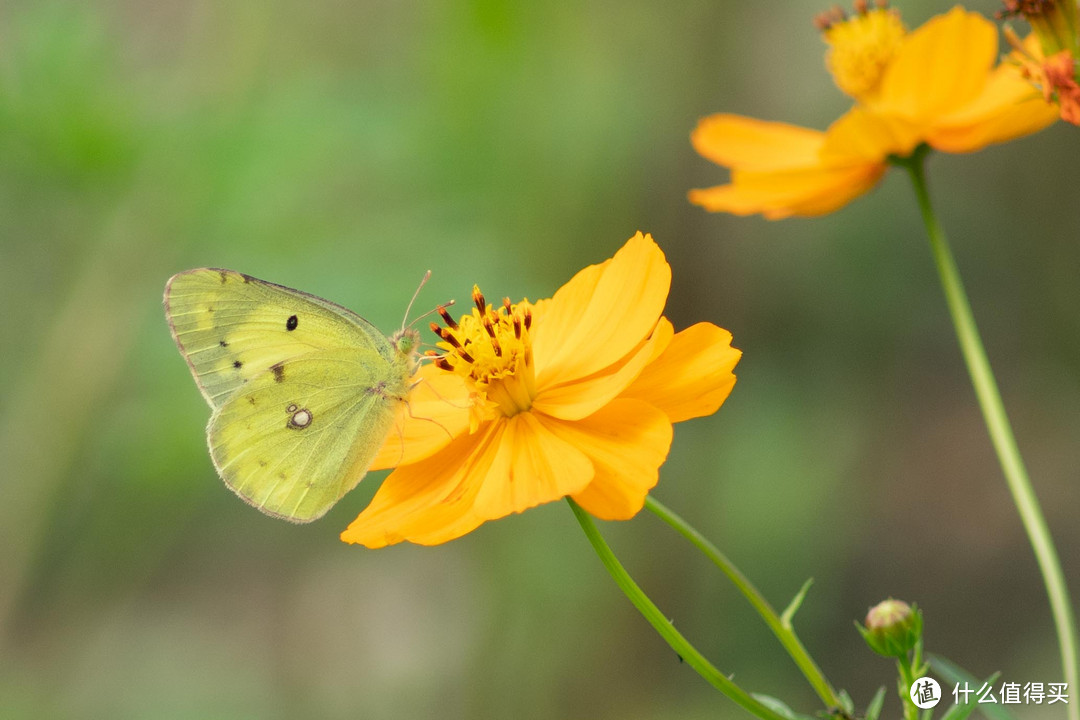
(939, 85)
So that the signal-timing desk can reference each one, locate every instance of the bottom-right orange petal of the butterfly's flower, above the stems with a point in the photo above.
(627, 442)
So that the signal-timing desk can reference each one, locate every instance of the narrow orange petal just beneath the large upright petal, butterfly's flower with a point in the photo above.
(579, 399)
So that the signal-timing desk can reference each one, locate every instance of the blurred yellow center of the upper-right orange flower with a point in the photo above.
(861, 47)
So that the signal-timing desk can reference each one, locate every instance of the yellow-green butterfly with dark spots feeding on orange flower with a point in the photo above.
(304, 392)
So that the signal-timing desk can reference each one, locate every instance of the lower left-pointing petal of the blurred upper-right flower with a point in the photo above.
(808, 192)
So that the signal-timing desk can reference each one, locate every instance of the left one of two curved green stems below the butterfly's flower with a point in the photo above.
(664, 627)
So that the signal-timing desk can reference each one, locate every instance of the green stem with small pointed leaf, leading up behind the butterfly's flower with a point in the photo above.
(780, 627)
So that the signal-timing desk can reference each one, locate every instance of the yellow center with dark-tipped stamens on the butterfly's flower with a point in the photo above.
(492, 348)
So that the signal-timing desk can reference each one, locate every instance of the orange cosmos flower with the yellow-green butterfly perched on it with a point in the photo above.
(531, 403)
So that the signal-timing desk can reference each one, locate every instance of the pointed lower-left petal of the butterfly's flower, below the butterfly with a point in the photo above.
(430, 501)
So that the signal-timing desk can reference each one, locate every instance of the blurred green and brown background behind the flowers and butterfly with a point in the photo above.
(344, 148)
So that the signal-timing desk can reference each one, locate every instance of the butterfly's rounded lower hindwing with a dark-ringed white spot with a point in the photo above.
(292, 442)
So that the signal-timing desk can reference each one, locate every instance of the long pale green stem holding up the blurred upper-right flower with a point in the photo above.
(1002, 436)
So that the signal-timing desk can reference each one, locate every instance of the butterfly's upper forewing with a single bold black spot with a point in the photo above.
(232, 328)
